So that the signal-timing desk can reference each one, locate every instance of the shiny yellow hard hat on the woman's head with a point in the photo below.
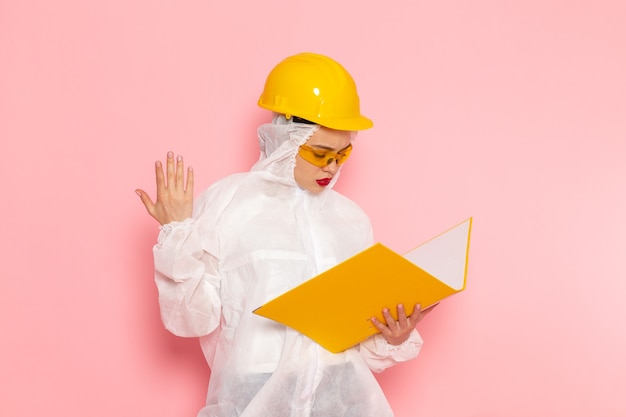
(316, 88)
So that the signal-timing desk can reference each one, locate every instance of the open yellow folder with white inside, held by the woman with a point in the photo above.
(335, 307)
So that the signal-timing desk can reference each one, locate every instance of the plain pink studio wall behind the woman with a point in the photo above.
(513, 112)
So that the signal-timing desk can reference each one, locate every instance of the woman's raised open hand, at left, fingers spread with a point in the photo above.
(174, 200)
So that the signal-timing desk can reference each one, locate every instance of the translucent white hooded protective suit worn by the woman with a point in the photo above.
(253, 236)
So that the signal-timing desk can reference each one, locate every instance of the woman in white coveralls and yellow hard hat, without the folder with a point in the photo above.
(252, 236)
